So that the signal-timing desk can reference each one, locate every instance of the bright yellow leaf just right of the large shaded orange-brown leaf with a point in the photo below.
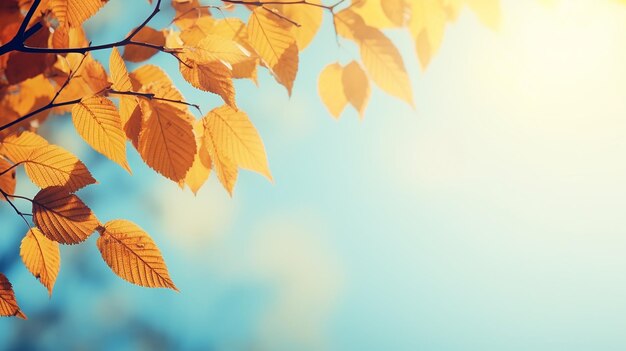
(236, 139)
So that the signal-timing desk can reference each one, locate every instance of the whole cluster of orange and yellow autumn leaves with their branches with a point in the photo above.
(46, 69)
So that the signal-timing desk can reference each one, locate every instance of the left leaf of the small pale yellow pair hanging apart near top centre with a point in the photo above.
(330, 87)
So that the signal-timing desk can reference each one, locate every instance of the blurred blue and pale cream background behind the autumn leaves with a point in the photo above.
(488, 218)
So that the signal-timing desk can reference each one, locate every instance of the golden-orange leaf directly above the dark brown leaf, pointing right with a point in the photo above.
(54, 166)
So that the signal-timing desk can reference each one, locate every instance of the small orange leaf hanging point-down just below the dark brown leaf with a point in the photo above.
(42, 257)
